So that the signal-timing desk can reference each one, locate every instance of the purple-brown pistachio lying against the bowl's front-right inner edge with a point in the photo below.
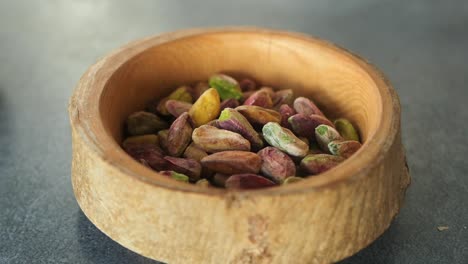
(318, 163)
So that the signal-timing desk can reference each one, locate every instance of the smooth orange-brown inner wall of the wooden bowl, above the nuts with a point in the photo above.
(331, 77)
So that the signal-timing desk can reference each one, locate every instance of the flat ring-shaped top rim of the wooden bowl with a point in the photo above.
(84, 107)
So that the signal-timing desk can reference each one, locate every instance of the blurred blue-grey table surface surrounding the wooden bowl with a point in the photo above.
(45, 46)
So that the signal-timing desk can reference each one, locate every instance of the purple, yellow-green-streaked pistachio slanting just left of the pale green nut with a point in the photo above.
(233, 121)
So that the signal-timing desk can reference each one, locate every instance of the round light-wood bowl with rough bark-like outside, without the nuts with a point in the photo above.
(322, 219)
